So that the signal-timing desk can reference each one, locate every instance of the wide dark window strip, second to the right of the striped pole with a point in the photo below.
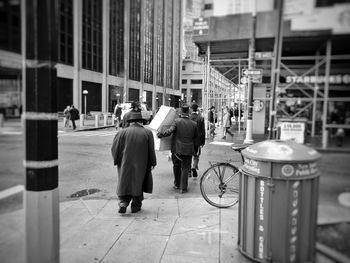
(92, 35)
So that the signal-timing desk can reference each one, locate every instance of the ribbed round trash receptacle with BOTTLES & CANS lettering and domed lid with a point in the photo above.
(278, 202)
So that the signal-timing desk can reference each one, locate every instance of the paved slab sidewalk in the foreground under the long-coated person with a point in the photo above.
(179, 229)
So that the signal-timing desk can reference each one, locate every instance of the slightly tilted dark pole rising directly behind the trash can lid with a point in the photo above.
(276, 68)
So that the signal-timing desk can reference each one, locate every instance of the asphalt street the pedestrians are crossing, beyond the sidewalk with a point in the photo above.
(85, 167)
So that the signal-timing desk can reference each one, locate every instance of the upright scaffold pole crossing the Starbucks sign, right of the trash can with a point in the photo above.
(326, 95)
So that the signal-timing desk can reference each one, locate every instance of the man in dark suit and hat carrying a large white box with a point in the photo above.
(182, 147)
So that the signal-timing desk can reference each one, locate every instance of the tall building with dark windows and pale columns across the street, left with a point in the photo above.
(114, 50)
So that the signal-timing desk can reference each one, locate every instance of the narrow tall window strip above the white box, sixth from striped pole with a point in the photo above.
(160, 43)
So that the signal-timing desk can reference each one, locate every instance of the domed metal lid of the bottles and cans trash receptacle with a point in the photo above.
(280, 151)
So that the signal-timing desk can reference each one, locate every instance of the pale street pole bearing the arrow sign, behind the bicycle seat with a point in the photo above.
(251, 65)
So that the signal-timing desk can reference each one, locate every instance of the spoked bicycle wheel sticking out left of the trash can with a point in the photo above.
(220, 185)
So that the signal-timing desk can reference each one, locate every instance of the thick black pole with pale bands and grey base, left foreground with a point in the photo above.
(41, 198)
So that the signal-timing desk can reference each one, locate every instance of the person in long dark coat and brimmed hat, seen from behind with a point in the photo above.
(134, 155)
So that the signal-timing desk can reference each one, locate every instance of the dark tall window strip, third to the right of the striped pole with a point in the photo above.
(116, 41)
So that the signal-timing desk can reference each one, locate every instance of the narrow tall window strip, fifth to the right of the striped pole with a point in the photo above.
(149, 33)
